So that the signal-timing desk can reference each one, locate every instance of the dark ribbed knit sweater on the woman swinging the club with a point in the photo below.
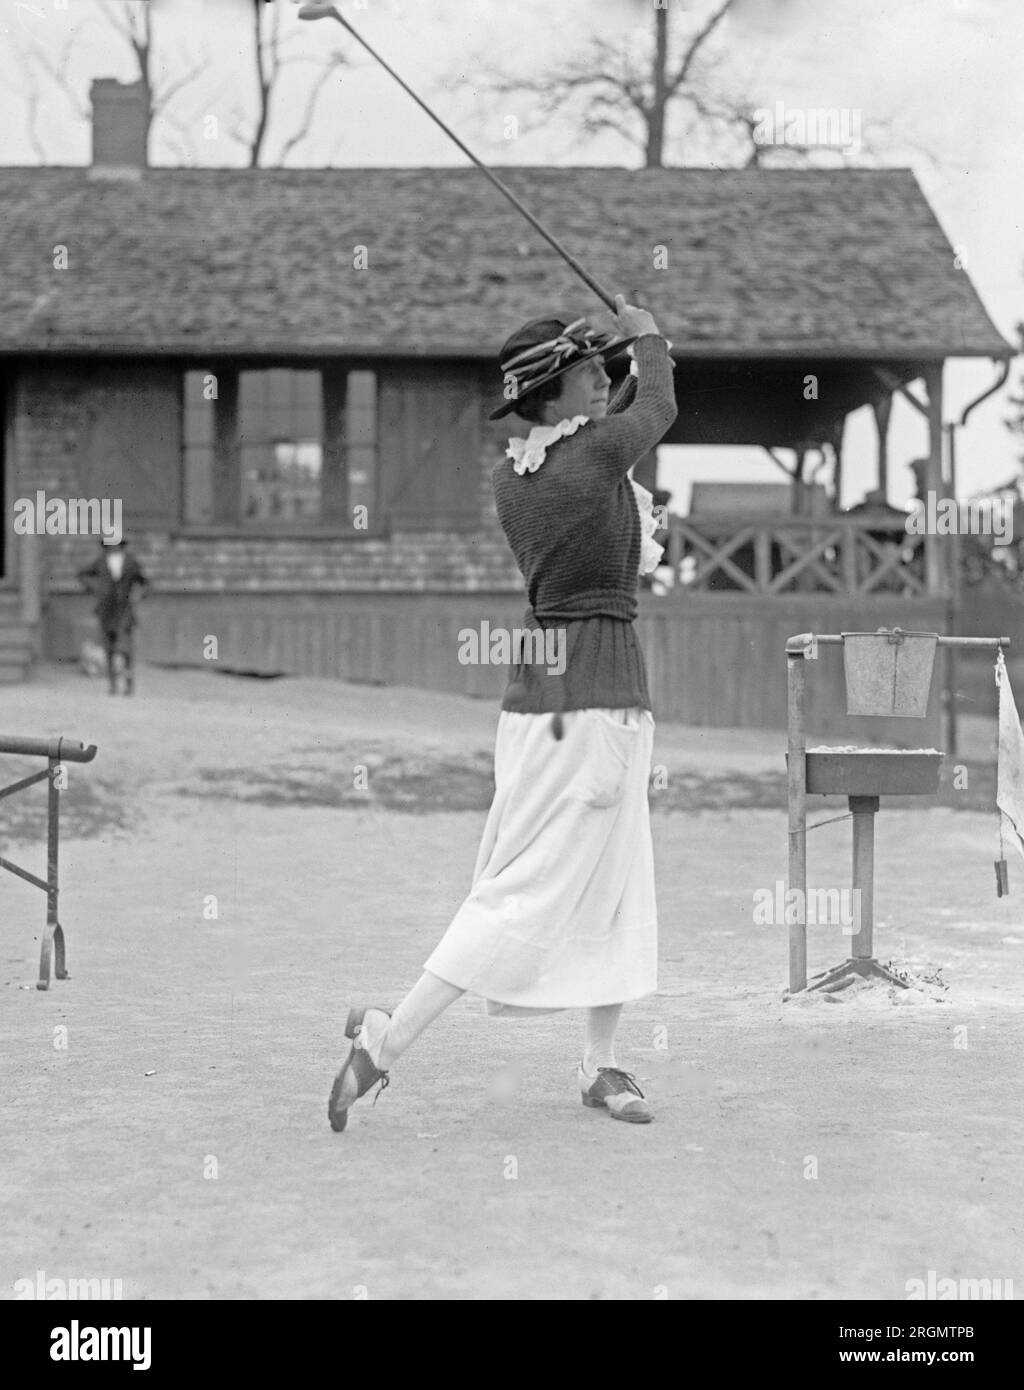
(576, 533)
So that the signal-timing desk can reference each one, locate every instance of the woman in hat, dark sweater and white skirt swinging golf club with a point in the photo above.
(562, 913)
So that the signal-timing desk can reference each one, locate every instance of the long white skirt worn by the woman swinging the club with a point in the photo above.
(562, 913)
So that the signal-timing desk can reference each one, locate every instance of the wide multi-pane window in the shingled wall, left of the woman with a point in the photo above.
(281, 450)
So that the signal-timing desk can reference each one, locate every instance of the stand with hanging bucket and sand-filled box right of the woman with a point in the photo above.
(887, 682)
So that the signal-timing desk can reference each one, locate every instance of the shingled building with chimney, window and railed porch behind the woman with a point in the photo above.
(286, 377)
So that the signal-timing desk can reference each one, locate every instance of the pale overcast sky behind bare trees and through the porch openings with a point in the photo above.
(939, 81)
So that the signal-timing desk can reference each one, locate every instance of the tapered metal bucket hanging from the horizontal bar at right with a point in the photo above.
(889, 672)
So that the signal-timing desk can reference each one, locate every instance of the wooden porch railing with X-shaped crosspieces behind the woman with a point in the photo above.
(795, 555)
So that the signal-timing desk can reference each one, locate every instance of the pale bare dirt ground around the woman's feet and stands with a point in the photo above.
(814, 1149)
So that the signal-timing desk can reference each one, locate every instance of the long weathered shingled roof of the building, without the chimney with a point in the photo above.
(840, 263)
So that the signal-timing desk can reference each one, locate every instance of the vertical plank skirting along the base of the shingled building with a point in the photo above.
(713, 660)
